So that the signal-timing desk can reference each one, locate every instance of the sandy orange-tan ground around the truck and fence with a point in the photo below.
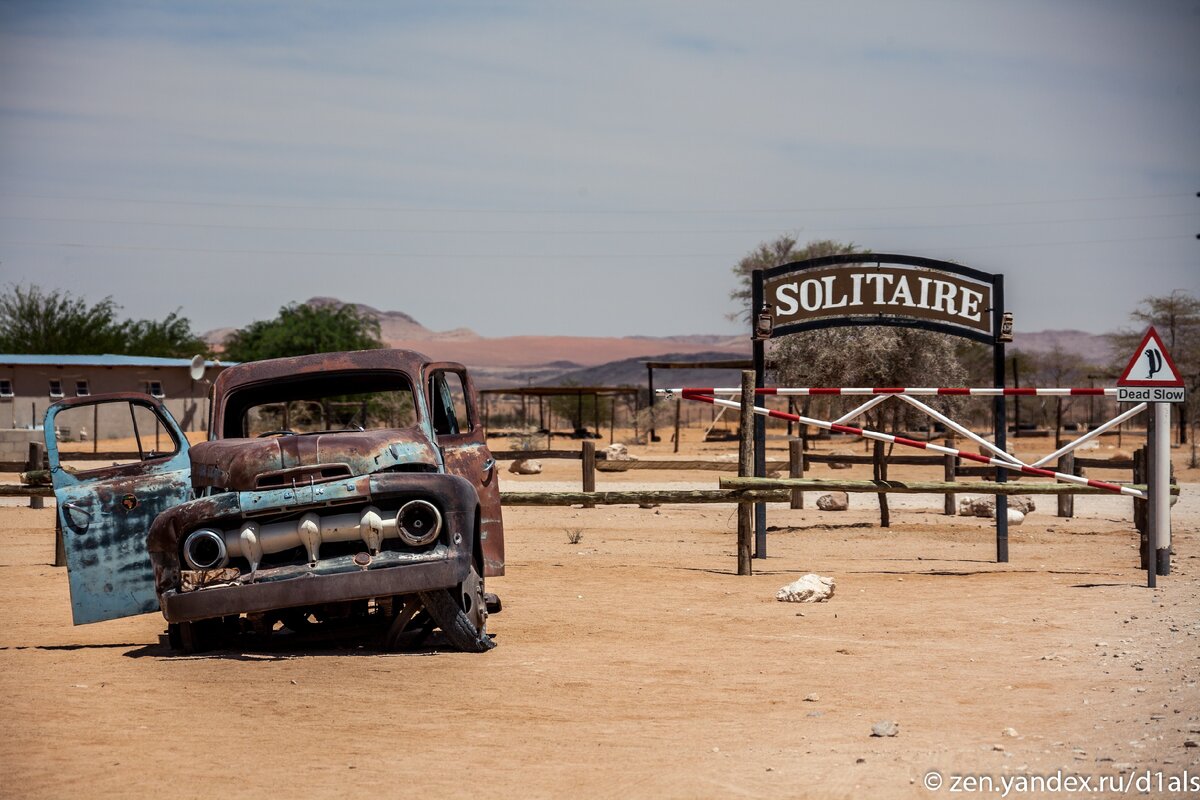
(637, 664)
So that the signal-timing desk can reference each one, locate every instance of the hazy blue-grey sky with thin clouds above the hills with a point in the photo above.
(592, 169)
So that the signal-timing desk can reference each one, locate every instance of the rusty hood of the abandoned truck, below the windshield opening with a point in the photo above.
(249, 465)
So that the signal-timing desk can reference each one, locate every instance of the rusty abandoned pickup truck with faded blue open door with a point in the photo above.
(337, 491)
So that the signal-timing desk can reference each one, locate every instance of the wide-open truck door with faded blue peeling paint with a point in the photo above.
(106, 512)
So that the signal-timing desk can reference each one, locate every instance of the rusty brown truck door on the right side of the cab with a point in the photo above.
(458, 431)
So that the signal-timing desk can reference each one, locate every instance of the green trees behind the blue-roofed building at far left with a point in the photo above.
(52, 322)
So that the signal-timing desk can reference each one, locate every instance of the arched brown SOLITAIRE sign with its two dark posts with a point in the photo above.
(881, 290)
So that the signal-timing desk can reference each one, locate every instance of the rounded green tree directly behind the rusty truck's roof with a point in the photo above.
(303, 329)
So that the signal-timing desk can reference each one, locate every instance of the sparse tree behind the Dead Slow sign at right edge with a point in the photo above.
(1177, 317)
